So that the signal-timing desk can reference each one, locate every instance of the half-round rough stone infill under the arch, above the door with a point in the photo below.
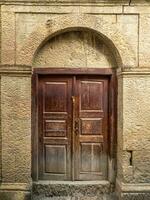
(75, 49)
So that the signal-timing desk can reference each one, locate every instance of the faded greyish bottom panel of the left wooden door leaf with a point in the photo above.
(55, 159)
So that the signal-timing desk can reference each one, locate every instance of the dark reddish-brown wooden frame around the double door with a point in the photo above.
(112, 114)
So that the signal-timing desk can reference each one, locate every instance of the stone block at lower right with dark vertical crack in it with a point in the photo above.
(133, 169)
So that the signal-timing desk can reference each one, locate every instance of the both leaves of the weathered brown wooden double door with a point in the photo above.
(73, 127)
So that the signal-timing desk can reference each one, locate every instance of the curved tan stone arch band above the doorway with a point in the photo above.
(109, 33)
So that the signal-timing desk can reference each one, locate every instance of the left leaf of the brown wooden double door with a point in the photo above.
(54, 100)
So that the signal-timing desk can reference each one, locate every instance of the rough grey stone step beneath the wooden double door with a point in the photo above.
(67, 190)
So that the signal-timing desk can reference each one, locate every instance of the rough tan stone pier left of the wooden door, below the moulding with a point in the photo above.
(16, 129)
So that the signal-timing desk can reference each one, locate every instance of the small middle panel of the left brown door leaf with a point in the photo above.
(55, 128)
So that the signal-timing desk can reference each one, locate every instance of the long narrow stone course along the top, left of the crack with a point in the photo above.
(51, 9)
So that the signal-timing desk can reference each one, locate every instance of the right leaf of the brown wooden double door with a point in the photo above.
(91, 128)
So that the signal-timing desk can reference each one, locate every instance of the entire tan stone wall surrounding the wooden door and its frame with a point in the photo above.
(112, 34)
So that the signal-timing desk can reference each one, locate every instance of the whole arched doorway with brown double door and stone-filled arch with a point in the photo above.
(74, 90)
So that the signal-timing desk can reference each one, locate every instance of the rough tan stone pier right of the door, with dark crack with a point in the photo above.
(133, 136)
